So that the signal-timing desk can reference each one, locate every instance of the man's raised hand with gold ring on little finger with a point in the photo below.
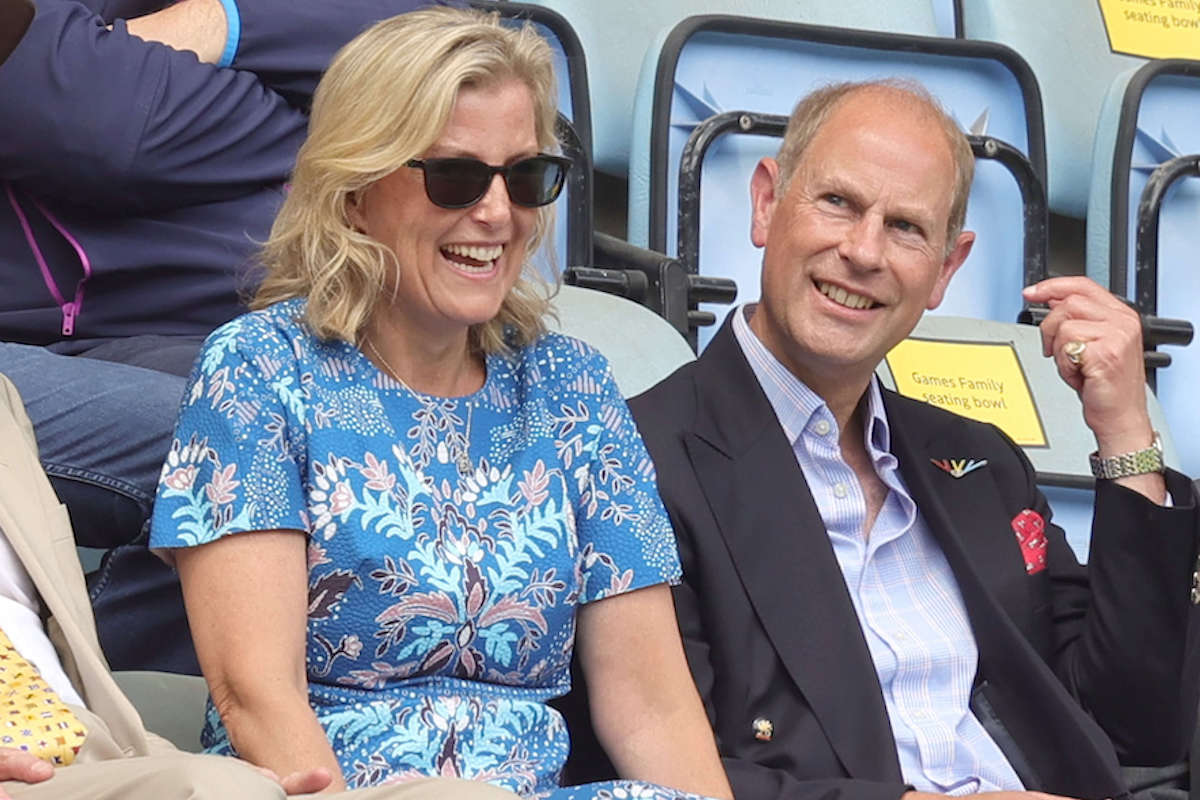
(1108, 371)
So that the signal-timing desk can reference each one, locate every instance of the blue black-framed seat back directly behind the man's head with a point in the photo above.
(713, 65)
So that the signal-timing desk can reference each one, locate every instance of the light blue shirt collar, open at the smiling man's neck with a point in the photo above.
(796, 406)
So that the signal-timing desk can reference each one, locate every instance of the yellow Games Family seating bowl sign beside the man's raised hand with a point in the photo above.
(976, 380)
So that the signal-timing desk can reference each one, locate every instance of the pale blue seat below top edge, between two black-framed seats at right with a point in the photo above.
(1069, 49)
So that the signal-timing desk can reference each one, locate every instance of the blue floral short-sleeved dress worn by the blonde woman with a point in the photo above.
(451, 540)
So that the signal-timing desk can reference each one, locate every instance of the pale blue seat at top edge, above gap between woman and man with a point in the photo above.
(619, 34)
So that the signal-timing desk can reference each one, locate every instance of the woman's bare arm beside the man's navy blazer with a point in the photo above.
(645, 707)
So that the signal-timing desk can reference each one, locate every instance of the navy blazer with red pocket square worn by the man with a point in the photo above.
(1076, 665)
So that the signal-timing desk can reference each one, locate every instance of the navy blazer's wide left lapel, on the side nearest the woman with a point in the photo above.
(779, 546)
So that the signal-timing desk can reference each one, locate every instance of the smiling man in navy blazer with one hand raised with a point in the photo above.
(861, 623)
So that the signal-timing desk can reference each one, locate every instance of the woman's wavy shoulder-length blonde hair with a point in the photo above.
(386, 99)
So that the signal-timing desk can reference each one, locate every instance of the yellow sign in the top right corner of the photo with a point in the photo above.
(1154, 29)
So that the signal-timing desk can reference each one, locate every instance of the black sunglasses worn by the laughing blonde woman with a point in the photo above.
(463, 183)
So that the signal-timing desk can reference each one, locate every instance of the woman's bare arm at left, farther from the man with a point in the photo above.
(247, 597)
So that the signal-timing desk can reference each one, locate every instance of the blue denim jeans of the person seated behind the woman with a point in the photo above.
(104, 430)
